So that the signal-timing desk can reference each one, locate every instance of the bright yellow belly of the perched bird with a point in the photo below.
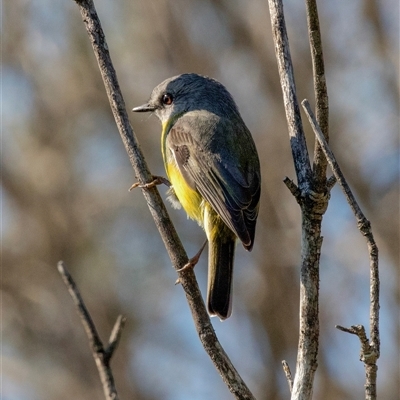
(191, 200)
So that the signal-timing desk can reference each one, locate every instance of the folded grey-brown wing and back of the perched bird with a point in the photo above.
(221, 171)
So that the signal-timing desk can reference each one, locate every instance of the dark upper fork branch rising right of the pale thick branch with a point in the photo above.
(321, 94)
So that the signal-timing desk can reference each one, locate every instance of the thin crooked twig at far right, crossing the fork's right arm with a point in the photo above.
(372, 352)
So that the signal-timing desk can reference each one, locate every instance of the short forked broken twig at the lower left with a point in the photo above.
(100, 355)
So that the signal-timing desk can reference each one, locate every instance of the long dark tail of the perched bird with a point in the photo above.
(221, 251)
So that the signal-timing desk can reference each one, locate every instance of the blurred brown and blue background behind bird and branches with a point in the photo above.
(65, 180)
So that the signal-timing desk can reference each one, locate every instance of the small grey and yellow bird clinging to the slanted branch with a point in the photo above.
(212, 163)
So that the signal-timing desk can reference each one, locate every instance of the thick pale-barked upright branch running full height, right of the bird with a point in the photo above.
(313, 205)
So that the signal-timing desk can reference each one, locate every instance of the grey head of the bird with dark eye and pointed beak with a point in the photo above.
(189, 92)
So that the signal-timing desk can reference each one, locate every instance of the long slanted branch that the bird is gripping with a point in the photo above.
(158, 211)
